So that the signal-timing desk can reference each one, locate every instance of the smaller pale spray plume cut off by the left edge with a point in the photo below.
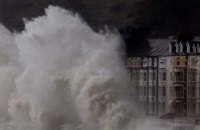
(9, 69)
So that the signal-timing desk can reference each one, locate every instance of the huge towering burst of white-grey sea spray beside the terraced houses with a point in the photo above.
(65, 76)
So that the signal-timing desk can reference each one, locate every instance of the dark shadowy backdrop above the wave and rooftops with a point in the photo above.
(161, 16)
